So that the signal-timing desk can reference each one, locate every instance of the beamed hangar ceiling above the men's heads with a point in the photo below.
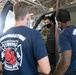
(39, 6)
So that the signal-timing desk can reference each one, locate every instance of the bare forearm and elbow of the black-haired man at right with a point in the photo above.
(64, 62)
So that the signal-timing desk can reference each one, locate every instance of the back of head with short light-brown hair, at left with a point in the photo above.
(21, 9)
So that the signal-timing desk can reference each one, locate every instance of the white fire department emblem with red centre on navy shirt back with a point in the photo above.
(11, 54)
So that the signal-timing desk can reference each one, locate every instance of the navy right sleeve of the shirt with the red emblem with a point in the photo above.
(39, 47)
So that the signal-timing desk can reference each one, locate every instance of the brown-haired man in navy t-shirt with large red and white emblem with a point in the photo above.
(22, 49)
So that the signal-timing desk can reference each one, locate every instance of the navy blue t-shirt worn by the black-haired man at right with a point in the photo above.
(67, 41)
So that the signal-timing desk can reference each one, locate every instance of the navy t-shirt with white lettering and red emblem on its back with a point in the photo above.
(20, 49)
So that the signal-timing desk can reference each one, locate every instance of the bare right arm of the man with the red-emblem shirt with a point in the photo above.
(44, 65)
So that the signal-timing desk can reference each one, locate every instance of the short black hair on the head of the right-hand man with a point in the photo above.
(63, 16)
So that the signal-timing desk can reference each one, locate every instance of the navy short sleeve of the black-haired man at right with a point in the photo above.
(64, 42)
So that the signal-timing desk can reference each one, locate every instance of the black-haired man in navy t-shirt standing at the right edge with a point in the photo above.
(66, 45)
